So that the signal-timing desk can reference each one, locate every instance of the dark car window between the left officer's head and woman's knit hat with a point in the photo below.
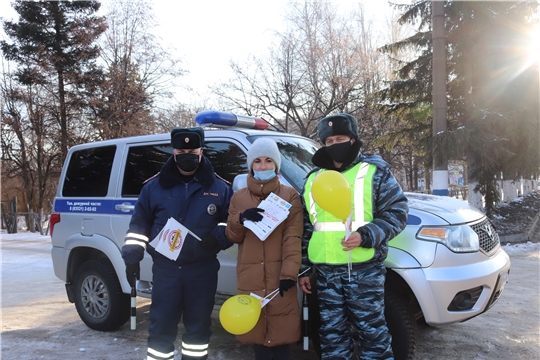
(228, 159)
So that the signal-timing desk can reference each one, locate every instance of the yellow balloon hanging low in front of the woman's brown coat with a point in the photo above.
(239, 314)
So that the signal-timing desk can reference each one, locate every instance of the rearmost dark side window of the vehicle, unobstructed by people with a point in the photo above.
(89, 172)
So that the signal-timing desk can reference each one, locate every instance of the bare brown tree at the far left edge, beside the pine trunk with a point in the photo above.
(31, 156)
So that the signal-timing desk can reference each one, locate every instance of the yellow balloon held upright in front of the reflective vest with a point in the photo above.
(332, 192)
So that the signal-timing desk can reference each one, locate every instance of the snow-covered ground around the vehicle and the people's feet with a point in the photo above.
(39, 323)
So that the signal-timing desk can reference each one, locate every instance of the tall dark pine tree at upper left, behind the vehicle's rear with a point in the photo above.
(53, 43)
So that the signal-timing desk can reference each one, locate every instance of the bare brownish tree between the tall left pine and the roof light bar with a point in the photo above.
(140, 72)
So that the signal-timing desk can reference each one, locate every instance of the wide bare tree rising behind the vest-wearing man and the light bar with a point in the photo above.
(323, 63)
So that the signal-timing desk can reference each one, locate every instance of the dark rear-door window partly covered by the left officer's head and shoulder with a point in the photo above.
(142, 163)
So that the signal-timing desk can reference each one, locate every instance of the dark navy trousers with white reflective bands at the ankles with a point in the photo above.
(178, 292)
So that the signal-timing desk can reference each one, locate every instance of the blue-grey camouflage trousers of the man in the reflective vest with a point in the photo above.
(359, 301)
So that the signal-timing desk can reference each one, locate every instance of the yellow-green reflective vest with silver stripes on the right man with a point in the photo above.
(328, 231)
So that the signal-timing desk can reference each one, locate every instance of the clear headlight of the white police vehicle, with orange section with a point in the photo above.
(457, 238)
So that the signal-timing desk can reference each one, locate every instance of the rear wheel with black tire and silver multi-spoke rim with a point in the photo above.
(99, 299)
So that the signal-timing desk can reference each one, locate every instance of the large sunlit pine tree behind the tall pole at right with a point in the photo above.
(492, 88)
